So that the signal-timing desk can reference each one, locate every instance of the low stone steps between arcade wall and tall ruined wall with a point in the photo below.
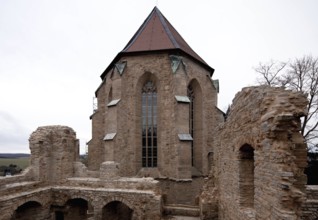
(178, 211)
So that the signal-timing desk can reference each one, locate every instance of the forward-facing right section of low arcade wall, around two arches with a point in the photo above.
(145, 204)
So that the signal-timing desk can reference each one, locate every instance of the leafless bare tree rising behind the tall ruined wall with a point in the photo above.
(300, 74)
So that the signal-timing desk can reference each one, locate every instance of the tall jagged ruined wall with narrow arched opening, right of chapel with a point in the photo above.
(260, 156)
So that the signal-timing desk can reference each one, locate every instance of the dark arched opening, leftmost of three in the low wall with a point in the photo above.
(29, 211)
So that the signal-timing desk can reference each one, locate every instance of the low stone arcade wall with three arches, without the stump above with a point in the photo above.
(75, 201)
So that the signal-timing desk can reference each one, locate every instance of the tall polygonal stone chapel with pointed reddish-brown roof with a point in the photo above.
(156, 111)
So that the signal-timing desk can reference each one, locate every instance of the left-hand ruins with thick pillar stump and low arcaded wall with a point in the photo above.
(49, 190)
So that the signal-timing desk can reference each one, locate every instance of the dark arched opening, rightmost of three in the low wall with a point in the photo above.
(117, 211)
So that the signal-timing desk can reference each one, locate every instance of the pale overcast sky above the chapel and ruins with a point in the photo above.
(52, 53)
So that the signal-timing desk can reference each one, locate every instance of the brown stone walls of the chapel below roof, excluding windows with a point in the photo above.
(172, 117)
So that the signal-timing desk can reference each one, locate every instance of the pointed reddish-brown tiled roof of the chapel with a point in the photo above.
(157, 34)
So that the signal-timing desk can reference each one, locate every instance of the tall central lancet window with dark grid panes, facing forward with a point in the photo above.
(149, 125)
